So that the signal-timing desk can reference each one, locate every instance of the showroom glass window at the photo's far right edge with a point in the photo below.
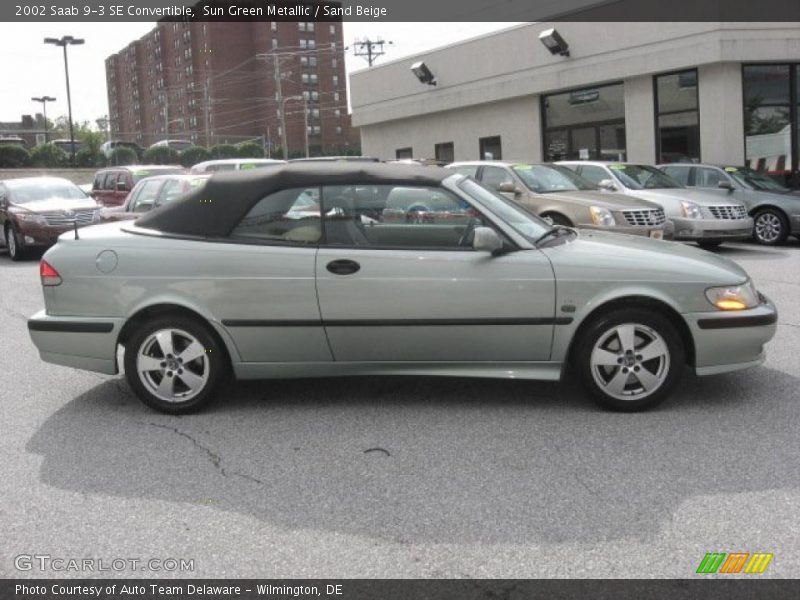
(771, 119)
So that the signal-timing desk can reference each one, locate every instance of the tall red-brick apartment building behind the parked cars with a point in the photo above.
(216, 83)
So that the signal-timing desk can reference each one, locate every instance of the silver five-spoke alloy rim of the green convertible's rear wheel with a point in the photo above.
(173, 365)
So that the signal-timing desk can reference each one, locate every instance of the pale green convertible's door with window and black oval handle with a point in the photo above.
(415, 290)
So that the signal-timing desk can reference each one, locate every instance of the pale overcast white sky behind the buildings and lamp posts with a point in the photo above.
(30, 68)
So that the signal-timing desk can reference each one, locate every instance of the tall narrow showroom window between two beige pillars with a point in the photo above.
(677, 117)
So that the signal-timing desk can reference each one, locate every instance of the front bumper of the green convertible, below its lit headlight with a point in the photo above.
(729, 341)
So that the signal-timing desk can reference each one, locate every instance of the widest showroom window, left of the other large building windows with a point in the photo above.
(586, 124)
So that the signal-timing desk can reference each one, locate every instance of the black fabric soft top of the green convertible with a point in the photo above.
(215, 209)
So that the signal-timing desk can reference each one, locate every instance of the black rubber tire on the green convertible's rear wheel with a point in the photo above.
(210, 366)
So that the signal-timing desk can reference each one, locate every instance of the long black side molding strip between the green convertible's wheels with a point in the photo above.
(398, 322)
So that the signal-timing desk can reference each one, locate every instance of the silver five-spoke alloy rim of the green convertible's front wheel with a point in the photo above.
(630, 361)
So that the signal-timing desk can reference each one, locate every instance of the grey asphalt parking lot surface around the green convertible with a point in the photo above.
(403, 477)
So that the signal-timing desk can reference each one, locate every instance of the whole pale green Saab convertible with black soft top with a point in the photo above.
(322, 270)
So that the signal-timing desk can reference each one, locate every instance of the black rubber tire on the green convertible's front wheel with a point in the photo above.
(601, 331)
